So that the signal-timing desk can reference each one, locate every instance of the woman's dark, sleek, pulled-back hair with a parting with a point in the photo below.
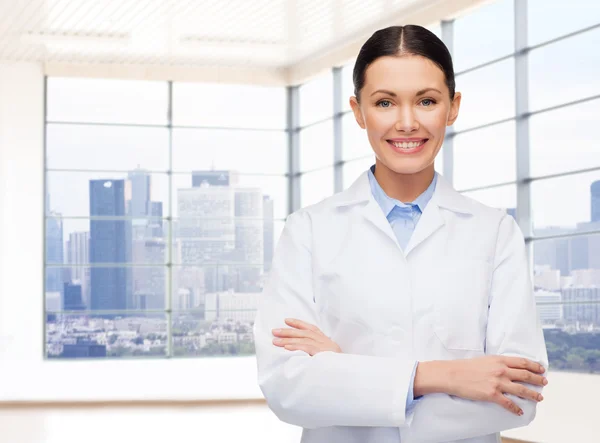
(403, 40)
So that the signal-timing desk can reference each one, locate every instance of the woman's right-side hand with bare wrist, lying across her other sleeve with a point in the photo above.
(485, 379)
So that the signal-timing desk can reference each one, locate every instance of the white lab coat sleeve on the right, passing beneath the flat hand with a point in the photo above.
(513, 330)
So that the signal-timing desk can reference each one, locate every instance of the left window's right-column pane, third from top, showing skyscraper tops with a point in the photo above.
(221, 194)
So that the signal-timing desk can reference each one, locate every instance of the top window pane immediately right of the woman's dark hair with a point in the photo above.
(483, 35)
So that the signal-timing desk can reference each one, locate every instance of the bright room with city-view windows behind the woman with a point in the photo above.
(150, 151)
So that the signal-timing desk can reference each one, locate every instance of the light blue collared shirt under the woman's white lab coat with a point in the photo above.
(403, 217)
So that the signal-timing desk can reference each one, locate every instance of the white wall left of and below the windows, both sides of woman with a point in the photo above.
(570, 405)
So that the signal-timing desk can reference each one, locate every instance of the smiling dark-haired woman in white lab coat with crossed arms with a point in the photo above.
(399, 309)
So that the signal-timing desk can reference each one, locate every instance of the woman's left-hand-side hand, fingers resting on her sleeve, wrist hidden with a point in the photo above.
(303, 337)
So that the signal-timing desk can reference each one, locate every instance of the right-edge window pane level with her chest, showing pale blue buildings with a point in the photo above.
(567, 261)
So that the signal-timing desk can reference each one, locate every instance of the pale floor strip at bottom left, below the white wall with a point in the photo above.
(167, 423)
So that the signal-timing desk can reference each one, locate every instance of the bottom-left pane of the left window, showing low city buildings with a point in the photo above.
(120, 335)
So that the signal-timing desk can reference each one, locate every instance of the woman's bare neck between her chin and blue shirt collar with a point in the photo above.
(403, 187)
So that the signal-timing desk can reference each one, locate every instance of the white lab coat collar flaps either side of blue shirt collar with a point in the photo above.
(444, 196)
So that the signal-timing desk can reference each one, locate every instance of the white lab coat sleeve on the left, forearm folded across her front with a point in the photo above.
(328, 389)
